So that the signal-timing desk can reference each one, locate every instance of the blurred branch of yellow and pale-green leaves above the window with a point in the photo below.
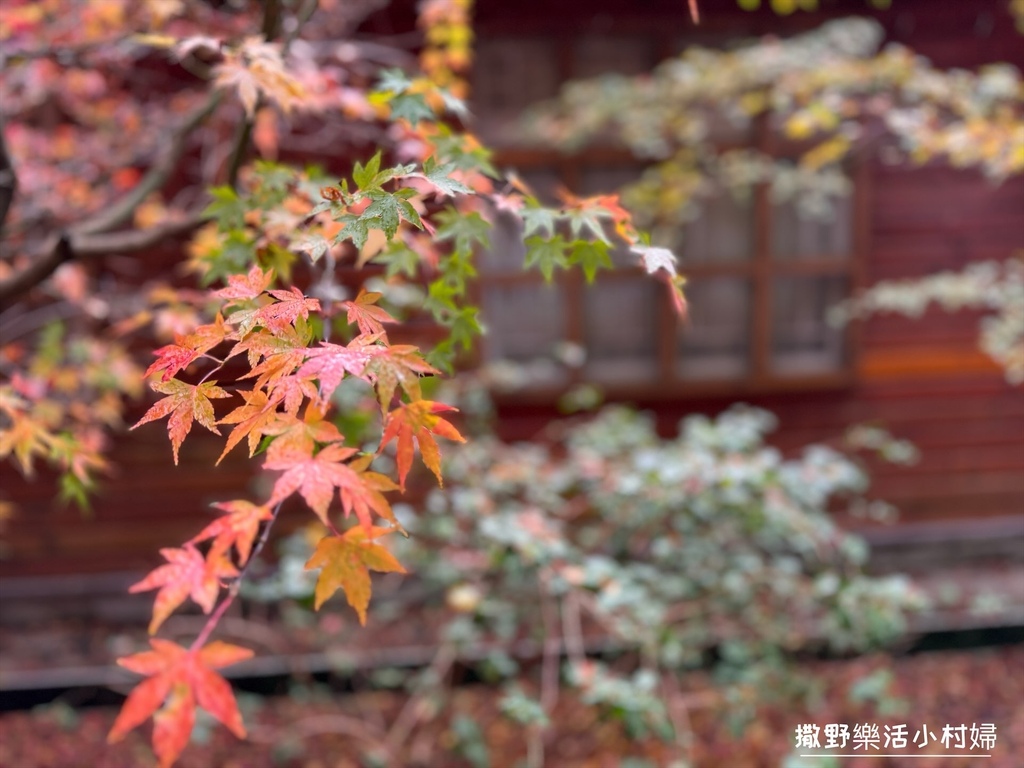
(825, 96)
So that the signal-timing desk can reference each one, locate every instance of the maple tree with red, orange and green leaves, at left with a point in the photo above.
(100, 179)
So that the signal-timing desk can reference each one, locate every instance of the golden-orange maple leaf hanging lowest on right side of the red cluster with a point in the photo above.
(347, 562)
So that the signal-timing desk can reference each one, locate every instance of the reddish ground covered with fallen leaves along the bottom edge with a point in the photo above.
(317, 729)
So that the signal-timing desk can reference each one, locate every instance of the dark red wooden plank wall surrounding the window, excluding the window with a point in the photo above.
(924, 379)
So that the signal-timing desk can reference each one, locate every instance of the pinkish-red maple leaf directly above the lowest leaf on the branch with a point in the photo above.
(187, 574)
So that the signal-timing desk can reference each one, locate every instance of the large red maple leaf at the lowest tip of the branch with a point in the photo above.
(178, 680)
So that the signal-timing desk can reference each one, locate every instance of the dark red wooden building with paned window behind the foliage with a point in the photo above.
(758, 332)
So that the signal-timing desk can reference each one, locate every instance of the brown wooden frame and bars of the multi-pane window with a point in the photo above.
(761, 270)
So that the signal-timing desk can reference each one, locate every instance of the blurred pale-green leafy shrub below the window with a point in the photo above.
(709, 550)
